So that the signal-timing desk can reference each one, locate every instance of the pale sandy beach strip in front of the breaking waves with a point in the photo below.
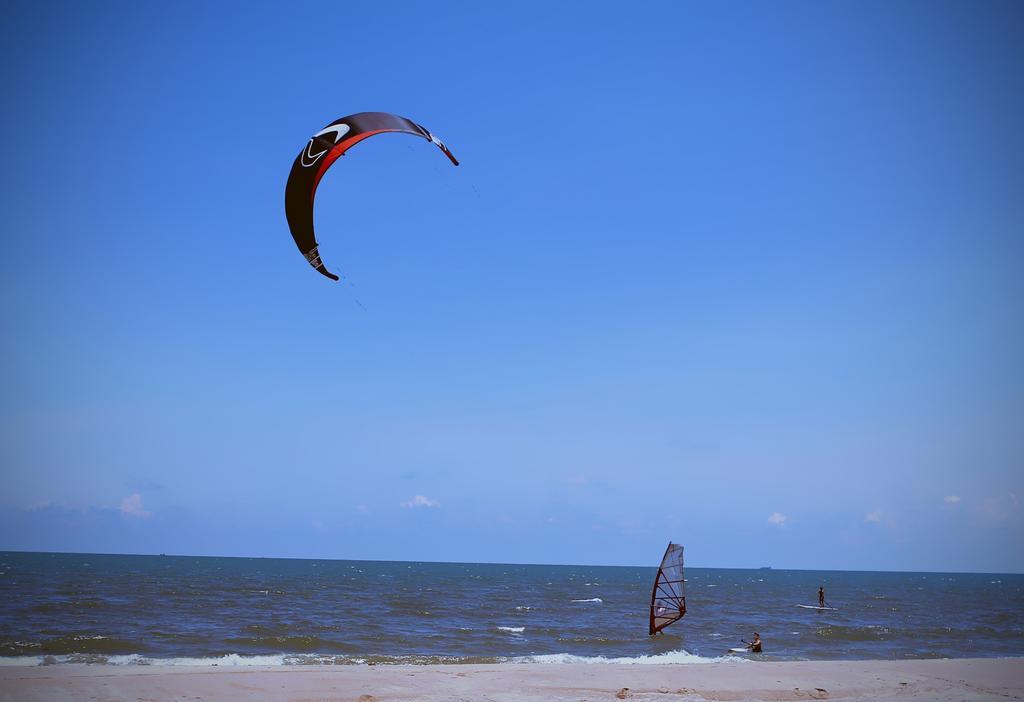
(974, 680)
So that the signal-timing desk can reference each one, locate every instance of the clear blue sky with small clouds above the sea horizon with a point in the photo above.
(745, 276)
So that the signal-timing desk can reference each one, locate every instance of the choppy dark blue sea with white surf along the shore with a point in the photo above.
(179, 610)
